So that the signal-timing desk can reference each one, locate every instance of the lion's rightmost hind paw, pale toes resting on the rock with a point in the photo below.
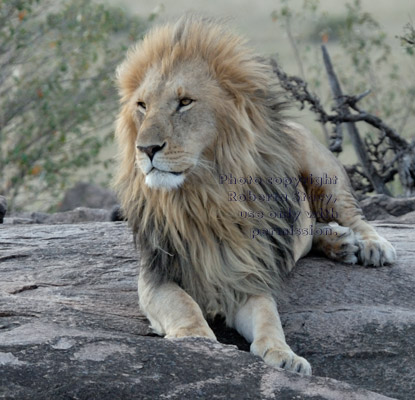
(376, 252)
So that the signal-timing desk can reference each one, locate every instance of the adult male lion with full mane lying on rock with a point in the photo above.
(198, 110)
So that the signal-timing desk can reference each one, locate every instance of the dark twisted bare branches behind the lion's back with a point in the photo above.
(390, 153)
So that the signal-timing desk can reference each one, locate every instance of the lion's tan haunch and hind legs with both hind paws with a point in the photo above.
(331, 198)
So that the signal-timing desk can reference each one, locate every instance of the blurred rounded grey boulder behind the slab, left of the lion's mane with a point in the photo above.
(88, 195)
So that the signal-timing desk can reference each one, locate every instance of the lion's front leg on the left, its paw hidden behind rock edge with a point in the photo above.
(171, 311)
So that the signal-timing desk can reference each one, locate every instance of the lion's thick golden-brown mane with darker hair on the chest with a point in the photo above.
(193, 235)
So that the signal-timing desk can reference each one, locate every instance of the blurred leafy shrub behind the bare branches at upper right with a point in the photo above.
(364, 58)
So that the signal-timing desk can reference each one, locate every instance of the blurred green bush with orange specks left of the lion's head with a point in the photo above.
(57, 97)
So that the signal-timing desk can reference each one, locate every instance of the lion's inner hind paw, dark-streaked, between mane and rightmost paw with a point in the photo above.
(337, 242)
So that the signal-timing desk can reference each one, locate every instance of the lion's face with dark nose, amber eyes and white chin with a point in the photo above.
(174, 117)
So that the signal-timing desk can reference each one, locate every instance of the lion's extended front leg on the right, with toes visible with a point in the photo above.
(258, 321)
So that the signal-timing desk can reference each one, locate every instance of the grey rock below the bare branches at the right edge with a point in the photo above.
(380, 206)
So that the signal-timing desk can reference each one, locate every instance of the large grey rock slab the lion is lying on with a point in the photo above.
(70, 327)
